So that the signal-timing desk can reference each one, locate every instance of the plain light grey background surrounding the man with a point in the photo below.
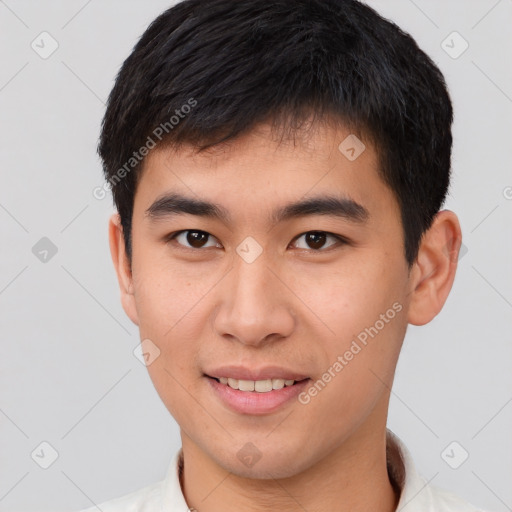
(68, 375)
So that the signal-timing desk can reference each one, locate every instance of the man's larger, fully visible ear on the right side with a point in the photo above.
(434, 270)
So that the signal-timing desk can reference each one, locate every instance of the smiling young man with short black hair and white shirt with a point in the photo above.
(279, 169)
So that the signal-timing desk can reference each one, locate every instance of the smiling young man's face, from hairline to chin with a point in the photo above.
(257, 288)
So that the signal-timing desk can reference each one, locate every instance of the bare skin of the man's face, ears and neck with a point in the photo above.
(296, 305)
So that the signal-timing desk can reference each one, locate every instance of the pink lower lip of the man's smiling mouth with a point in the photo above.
(254, 402)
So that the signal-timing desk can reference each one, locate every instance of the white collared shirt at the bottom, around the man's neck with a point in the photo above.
(416, 494)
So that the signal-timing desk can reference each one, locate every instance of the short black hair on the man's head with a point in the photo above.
(207, 71)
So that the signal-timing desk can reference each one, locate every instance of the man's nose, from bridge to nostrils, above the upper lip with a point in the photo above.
(254, 306)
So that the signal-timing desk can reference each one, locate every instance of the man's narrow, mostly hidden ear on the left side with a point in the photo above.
(122, 266)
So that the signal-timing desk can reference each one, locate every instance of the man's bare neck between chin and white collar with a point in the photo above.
(353, 477)
